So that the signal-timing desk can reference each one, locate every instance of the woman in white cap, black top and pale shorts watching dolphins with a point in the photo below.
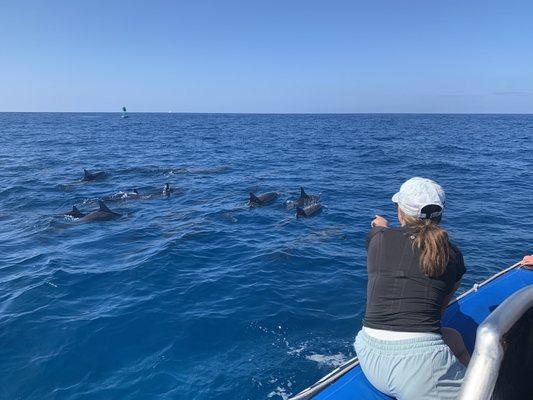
(413, 272)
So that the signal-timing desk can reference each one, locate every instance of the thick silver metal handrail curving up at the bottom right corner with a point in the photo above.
(484, 367)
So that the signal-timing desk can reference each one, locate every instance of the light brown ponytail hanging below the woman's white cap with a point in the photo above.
(433, 244)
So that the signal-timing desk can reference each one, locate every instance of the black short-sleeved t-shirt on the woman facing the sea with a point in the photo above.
(399, 296)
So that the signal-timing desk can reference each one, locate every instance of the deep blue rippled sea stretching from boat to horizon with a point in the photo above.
(197, 296)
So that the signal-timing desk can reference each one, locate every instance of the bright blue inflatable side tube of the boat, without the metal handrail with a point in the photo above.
(465, 314)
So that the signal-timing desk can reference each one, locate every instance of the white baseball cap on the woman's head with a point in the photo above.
(420, 198)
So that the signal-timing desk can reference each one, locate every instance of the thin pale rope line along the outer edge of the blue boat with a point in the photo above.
(338, 372)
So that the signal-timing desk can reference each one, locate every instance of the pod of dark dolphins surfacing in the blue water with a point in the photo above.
(306, 205)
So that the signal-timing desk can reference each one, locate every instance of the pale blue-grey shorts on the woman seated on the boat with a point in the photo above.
(411, 369)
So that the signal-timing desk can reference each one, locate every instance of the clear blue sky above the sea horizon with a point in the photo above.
(267, 56)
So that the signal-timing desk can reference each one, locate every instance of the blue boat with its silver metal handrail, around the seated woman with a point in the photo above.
(495, 318)
